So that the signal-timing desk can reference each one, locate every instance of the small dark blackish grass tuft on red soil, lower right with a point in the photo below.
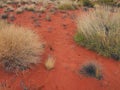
(91, 69)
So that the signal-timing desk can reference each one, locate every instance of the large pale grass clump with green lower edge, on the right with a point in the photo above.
(99, 30)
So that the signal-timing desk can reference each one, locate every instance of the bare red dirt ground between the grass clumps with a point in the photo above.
(58, 34)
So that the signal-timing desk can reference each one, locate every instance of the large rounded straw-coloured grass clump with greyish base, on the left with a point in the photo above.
(19, 48)
